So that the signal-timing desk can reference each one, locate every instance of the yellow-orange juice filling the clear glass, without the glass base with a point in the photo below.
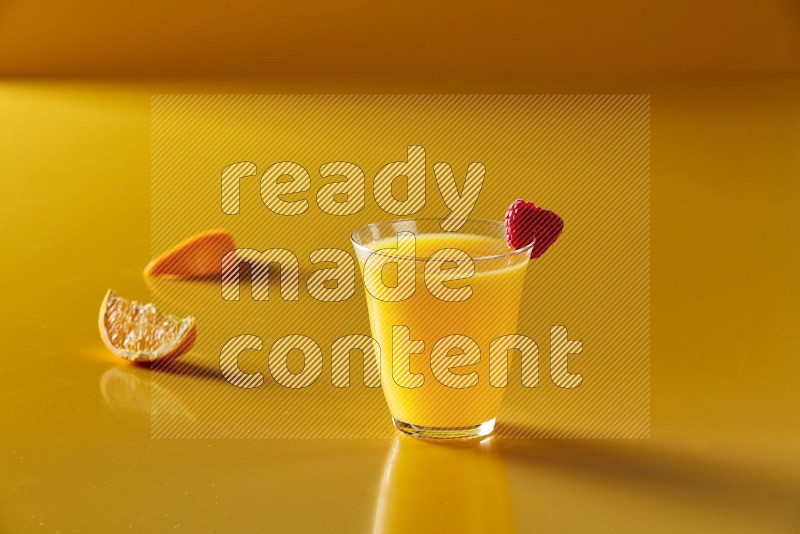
(490, 312)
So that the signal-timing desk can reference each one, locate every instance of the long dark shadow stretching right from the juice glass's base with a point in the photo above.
(636, 465)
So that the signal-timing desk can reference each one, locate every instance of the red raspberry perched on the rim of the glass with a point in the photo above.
(526, 221)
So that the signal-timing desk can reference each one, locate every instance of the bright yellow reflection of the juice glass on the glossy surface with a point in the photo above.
(444, 487)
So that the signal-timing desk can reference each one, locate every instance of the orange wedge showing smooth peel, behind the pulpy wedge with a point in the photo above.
(198, 257)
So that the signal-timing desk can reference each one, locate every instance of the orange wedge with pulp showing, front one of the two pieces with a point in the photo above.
(139, 333)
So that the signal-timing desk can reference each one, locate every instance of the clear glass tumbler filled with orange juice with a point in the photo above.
(436, 301)
